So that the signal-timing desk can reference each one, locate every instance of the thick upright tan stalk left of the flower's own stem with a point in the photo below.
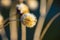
(13, 24)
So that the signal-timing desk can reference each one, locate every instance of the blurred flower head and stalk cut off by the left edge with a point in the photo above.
(2, 30)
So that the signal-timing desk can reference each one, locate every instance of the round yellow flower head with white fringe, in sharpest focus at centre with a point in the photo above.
(28, 20)
